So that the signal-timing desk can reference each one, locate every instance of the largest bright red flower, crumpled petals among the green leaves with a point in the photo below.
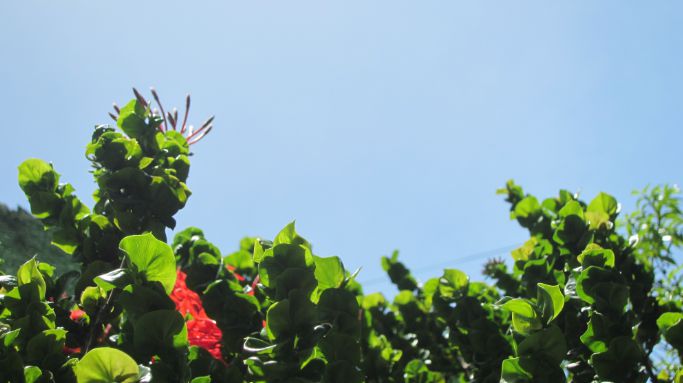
(201, 330)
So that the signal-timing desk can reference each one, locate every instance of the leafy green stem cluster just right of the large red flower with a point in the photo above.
(312, 328)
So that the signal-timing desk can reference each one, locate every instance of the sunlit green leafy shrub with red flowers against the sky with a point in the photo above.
(582, 303)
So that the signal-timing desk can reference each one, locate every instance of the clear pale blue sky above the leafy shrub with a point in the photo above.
(377, 125)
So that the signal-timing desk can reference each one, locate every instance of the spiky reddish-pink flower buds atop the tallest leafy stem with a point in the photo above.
(170, 120)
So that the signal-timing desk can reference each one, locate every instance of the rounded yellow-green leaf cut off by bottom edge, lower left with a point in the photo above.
(106, 365)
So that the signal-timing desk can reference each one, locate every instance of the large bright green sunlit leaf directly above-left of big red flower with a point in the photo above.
(152, 258)
